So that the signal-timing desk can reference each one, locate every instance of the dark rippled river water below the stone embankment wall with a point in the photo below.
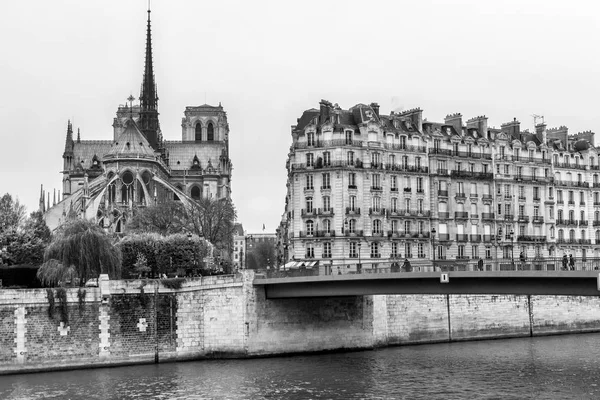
(559, 367)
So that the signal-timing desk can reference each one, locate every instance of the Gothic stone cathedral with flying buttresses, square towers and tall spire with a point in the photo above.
(107, 180)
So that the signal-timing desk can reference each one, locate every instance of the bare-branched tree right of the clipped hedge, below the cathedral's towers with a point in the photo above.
(214, 220)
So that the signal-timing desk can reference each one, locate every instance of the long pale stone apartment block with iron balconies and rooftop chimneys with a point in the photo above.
(367, 190)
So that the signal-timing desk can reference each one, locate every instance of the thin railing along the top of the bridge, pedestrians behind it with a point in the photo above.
(481, 265)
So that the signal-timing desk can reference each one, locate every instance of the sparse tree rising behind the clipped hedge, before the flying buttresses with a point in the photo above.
(165, 219)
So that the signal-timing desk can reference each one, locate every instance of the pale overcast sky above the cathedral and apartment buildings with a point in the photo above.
(268, 61)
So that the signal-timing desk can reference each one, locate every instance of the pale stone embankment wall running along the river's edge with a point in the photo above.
(216, 317)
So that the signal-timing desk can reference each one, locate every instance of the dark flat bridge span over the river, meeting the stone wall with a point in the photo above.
(279, 285)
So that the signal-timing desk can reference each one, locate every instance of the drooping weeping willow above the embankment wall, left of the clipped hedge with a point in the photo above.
(80, 250)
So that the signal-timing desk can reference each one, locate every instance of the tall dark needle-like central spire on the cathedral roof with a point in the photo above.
(148, 122)
